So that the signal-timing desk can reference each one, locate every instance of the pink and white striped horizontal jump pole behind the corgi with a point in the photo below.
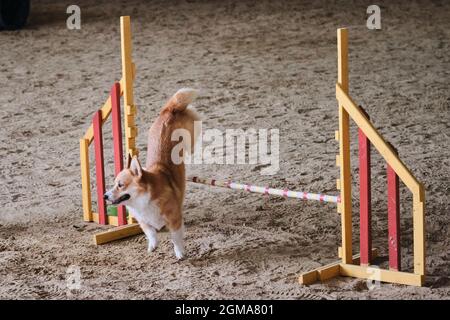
(266, 190)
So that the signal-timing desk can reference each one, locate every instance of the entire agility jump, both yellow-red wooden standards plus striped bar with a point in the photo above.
(350, 265)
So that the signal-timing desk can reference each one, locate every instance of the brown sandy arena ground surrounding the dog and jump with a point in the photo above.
(259, 64)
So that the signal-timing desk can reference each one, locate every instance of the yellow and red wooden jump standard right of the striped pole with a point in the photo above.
(359, 265)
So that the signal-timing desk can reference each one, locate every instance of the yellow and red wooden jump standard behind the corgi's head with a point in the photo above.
(94, 134)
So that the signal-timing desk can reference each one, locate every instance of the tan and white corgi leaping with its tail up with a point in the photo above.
(154, 194)
